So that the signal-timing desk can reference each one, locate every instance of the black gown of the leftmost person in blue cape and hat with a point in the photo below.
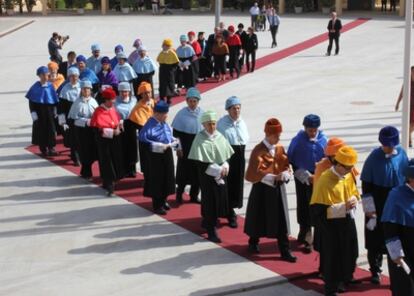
(44, 128)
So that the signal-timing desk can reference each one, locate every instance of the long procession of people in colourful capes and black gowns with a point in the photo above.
(111, 115)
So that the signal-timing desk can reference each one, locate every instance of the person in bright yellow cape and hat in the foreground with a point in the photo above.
(333, 204)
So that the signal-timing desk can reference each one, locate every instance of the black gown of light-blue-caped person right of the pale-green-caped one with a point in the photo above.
(235, 178)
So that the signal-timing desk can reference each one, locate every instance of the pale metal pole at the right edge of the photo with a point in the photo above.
(405, 130)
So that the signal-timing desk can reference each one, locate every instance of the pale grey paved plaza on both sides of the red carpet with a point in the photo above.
(60, 235)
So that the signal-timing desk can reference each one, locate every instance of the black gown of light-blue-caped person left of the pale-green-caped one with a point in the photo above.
(186, 168)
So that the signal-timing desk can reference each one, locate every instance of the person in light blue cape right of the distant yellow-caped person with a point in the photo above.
(186, 55)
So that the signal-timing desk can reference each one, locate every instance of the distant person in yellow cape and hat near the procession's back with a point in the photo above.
(168, 61)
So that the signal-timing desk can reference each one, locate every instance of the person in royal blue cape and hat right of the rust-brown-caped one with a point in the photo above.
(305, 150)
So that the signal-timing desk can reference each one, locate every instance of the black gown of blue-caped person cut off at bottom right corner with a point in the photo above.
(401, 283)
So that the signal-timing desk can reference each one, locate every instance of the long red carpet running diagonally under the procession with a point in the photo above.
(301, 274)
